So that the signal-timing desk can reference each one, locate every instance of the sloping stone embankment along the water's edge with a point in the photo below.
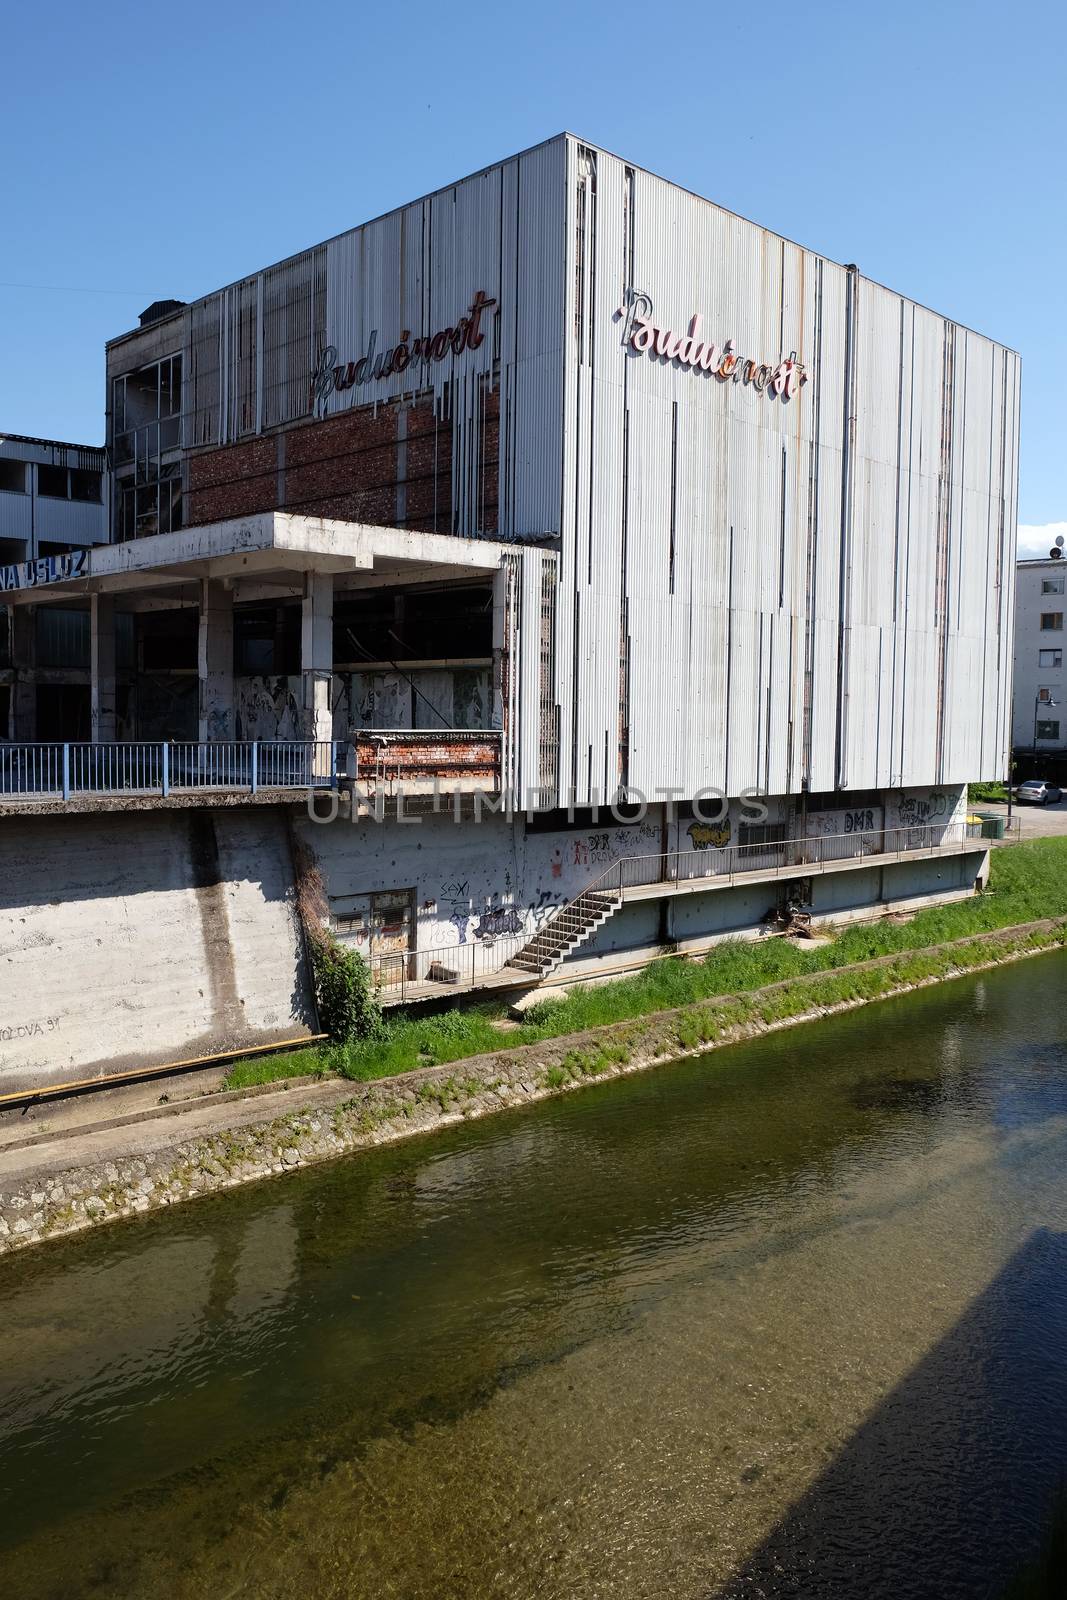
(58, 1186)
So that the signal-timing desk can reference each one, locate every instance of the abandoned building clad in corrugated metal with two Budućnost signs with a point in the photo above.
(561, 484)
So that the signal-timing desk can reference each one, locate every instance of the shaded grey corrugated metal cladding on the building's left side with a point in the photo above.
(252, 350)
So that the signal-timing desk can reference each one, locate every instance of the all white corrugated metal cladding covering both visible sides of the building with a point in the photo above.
(756, 588)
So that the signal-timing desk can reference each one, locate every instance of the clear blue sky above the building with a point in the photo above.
(158, 151)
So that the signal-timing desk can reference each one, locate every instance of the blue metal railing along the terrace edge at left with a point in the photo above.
(161, 769)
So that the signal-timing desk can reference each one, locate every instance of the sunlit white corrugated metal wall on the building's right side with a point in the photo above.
(765, 591)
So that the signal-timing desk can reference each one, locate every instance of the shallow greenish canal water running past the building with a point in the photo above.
(785, 1321)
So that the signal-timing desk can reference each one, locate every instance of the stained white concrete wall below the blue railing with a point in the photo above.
(140, 938)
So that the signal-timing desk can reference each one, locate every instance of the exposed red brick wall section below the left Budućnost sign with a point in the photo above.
(393, 468)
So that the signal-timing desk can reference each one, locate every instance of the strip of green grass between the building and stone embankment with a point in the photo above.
(1028, 882)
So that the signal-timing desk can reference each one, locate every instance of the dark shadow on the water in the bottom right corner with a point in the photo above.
(946, 1489)
